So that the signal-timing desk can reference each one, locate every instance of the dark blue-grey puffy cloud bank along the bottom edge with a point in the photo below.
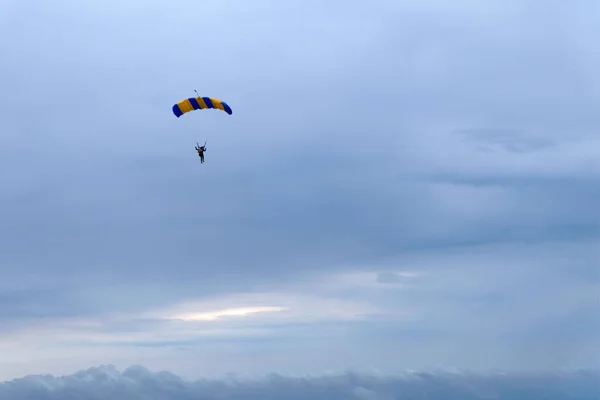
(137, 382)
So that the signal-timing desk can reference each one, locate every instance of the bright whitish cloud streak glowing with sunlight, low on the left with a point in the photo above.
(232, 316)
